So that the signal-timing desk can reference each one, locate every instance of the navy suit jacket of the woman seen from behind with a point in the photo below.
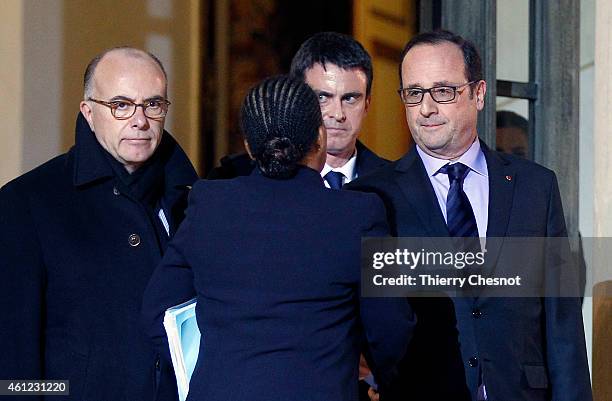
(275, 265)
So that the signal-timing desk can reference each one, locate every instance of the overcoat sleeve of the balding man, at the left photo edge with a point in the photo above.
(22, 289)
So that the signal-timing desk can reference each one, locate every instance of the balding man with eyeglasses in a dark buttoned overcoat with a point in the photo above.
(82, 233)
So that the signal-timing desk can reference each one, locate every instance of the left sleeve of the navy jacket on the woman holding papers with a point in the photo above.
(171, 283)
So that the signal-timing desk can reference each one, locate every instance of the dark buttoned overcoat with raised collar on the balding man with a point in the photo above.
(73, 277)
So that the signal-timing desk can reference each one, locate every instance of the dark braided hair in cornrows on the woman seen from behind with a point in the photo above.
(280, 118)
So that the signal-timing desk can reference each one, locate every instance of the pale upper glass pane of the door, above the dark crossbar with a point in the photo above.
(513, 40)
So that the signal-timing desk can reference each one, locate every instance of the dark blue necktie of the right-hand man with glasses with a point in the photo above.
(460, 217)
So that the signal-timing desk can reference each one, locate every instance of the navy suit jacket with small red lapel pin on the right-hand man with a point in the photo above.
(529, 349)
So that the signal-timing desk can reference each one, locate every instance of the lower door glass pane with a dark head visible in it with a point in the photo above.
(512, 133)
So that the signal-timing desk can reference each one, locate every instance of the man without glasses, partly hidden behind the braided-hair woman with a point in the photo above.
(339, 70)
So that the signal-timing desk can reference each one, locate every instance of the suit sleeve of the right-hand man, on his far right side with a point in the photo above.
(565, 343)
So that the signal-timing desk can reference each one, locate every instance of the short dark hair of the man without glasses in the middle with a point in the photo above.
(333, 48)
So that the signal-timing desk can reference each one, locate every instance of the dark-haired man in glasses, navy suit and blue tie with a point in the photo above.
(451, 184)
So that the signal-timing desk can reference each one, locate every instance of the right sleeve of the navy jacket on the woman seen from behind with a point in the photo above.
(388, 323)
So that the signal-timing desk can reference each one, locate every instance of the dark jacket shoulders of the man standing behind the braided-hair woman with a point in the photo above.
(240, 164)
